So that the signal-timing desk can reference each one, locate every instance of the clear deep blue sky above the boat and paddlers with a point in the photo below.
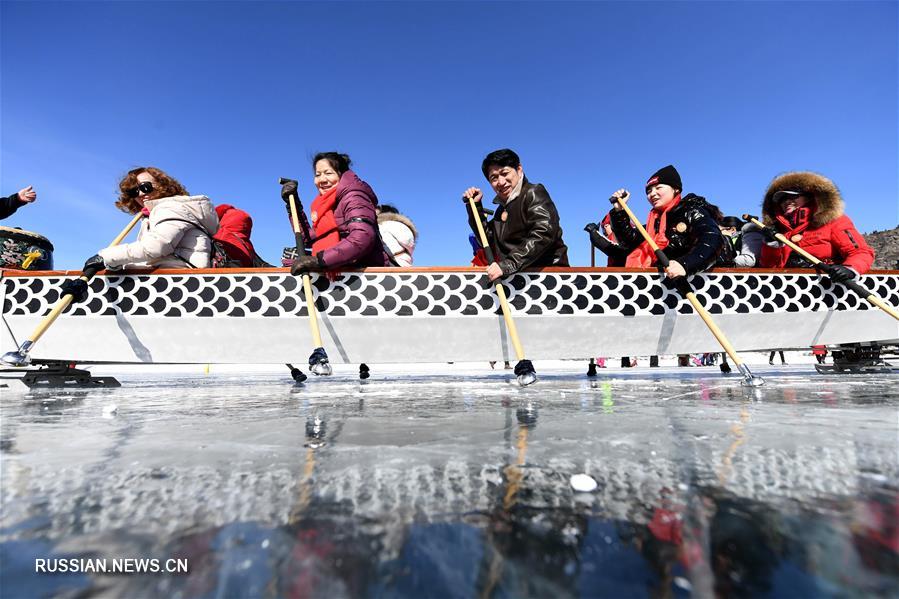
(228, 96)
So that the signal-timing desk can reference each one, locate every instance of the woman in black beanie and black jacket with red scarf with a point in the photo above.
(685, 228)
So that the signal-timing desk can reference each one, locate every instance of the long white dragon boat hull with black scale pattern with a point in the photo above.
(442, 314)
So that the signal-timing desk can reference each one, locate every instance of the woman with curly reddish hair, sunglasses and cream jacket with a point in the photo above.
(177, 231)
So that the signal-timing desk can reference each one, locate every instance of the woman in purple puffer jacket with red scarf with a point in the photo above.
(345, 226)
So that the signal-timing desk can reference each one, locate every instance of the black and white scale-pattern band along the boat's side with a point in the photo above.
(439, 294)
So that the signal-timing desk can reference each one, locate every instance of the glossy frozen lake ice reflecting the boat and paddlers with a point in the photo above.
(415, 485)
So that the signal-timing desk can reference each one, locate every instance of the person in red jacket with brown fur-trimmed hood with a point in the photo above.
(808, 210)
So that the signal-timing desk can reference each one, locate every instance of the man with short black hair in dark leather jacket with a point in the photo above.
(524, 231)
